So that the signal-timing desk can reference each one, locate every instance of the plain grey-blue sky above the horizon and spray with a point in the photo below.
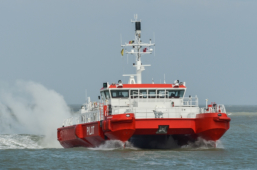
(70, 46)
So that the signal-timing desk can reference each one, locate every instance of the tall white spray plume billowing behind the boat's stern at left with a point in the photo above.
(30, 108)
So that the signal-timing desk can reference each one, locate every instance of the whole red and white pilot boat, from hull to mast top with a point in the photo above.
(147, 115)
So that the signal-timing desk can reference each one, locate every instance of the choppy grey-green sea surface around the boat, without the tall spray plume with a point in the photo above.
(237, 149)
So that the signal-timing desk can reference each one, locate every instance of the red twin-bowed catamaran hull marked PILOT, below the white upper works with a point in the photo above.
(154, 133)
